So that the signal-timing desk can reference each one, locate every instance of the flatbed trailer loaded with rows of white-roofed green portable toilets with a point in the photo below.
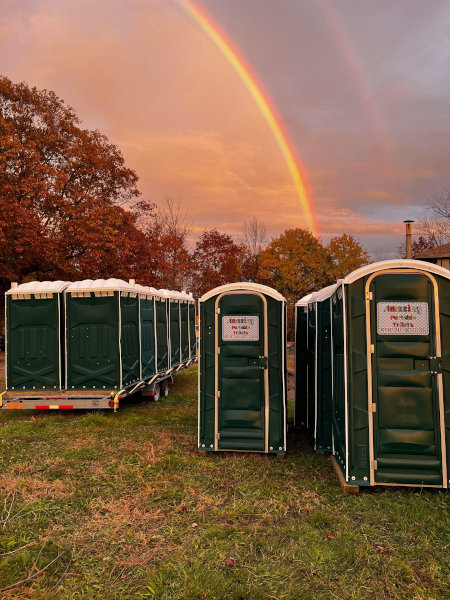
(90, 344)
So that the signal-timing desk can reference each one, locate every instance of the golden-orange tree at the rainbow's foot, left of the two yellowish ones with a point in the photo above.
(295, 264)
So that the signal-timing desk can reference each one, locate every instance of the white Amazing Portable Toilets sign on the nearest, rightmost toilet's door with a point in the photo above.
(402, 318)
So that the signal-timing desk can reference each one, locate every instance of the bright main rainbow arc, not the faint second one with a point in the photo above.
(263, 102)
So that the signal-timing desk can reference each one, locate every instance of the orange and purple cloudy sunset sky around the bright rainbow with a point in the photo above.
(362, 89)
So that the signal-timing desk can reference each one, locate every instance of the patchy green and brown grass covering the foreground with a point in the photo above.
(106, 506)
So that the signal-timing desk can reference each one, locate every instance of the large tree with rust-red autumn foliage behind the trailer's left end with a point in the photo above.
(63, 193)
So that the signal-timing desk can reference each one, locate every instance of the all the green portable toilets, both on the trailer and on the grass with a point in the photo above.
(372, 362)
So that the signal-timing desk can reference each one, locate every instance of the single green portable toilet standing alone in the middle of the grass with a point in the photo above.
(242, 391)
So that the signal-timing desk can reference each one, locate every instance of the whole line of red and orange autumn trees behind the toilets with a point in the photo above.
(71, 209)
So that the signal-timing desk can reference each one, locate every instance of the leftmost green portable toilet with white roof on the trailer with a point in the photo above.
(34, 329)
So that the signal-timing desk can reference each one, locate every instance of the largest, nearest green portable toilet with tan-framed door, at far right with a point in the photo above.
(390, 328)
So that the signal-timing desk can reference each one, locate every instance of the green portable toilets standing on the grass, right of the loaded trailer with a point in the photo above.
(372, 372)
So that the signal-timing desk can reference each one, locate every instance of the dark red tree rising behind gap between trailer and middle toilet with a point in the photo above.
(216, 261)
